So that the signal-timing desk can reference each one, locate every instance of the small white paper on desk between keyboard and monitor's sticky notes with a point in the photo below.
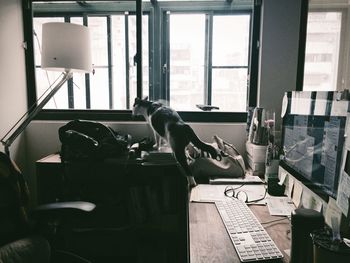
(280, 206)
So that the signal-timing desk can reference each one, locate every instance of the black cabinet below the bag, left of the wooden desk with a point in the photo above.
(141, 210)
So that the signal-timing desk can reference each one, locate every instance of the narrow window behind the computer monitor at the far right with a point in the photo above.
(325, 39)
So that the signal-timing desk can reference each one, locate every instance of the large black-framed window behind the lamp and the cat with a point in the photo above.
(192, 53)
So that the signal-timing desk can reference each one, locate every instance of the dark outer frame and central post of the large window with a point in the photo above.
(155, 10)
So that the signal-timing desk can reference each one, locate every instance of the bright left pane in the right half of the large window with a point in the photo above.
(187, 60)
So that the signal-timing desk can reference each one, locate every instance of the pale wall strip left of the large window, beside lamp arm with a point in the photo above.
(13, 96)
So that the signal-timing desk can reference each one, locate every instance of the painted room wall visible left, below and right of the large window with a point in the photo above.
(278, 73)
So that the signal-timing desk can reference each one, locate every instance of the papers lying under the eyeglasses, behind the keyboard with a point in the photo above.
(211, 193)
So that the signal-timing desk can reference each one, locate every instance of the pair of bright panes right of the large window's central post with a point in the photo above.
(209, 61)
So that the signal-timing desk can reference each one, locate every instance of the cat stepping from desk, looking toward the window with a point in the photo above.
(166, 123)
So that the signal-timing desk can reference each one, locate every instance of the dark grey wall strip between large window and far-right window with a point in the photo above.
(278, 52)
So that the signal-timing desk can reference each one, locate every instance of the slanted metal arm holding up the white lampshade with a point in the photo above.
(31, 115)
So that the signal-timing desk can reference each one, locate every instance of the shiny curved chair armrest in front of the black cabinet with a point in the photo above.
(63, 208)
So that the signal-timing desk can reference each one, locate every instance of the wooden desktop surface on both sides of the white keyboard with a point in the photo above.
(209, 241)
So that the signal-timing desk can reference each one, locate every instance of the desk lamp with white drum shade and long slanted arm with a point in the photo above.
(65, 47)
